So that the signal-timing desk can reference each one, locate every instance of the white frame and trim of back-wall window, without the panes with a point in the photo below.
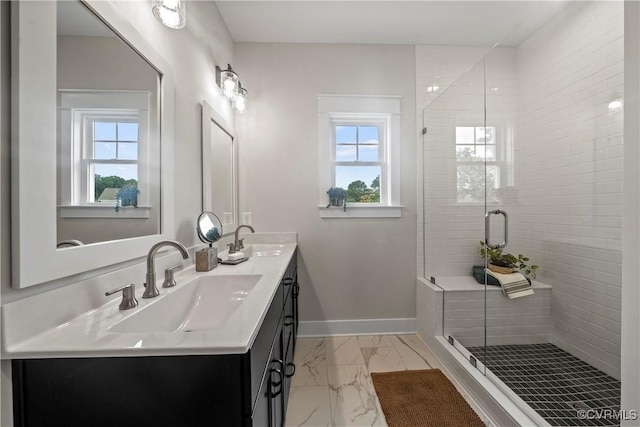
(360, 109)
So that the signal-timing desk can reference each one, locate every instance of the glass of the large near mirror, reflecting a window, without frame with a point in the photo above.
(108, 174)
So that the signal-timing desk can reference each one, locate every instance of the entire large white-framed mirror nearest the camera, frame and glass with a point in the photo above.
(41, 97)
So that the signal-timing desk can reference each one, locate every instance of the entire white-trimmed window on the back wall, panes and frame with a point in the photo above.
(359, 150)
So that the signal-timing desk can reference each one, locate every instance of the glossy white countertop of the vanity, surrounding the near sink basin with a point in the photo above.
(87, 335)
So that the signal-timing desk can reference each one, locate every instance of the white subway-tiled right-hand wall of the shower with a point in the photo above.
(568, 215)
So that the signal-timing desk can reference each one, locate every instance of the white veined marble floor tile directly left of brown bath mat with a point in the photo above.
(353, 398)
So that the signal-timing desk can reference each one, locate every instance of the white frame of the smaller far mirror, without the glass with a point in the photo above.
(210, 115)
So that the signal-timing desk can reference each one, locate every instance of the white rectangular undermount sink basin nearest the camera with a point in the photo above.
(204, 303)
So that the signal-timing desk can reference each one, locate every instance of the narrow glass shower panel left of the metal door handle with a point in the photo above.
(457, 184)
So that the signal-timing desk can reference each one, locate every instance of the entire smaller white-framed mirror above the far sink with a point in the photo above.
(219, 168)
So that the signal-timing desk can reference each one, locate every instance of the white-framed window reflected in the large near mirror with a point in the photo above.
(105, 152)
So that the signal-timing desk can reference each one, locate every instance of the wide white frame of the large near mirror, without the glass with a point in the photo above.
(35, 259)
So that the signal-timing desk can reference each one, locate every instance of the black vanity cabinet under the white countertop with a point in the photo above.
(248, 389)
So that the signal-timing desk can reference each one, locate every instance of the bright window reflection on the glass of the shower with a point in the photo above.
(482, 163)
